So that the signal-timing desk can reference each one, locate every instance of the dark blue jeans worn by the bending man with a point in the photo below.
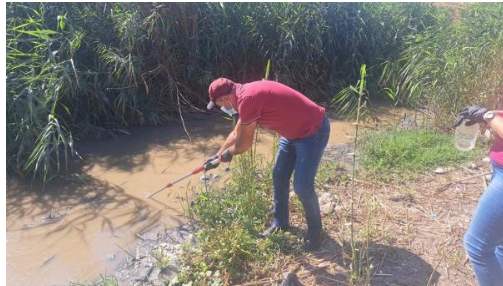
(303, 156)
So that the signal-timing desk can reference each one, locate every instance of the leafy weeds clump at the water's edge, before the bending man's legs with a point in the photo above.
(230, 221)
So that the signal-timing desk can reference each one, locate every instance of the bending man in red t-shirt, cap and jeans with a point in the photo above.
(304, 130)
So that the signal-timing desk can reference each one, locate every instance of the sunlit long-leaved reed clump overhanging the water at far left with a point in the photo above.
(40, 74)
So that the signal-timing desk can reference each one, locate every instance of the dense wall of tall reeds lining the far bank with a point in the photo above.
(94, 68)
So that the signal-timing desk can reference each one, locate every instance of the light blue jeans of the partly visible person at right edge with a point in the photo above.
(484, 239)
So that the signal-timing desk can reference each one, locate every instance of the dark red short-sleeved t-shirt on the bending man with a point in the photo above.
(279, 108)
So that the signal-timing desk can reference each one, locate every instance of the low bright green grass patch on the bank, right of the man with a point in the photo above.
(406, 153)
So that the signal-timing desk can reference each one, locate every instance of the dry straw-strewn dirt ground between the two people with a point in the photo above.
(416, 231)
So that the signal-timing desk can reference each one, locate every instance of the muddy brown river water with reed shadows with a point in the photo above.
(81, 227)
